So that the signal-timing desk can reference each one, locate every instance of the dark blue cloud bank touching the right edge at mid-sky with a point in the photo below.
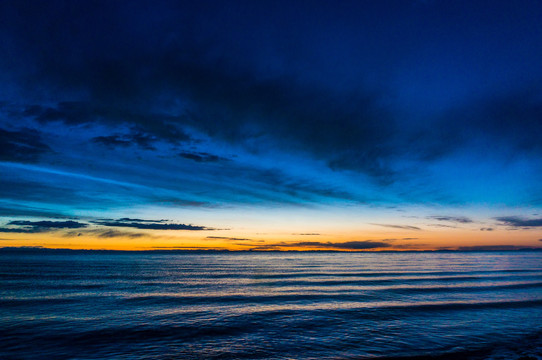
(510, 119)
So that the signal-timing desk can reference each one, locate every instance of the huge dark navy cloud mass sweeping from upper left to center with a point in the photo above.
(169, 80)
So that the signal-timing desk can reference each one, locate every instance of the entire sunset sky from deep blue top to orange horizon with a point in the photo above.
(271, 125)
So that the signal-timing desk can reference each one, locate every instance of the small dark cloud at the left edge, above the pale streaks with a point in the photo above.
(24, 145)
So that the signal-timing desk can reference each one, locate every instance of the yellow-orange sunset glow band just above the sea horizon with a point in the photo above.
(397, 239)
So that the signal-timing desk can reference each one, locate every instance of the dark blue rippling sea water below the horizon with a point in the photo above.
(271, 305)
